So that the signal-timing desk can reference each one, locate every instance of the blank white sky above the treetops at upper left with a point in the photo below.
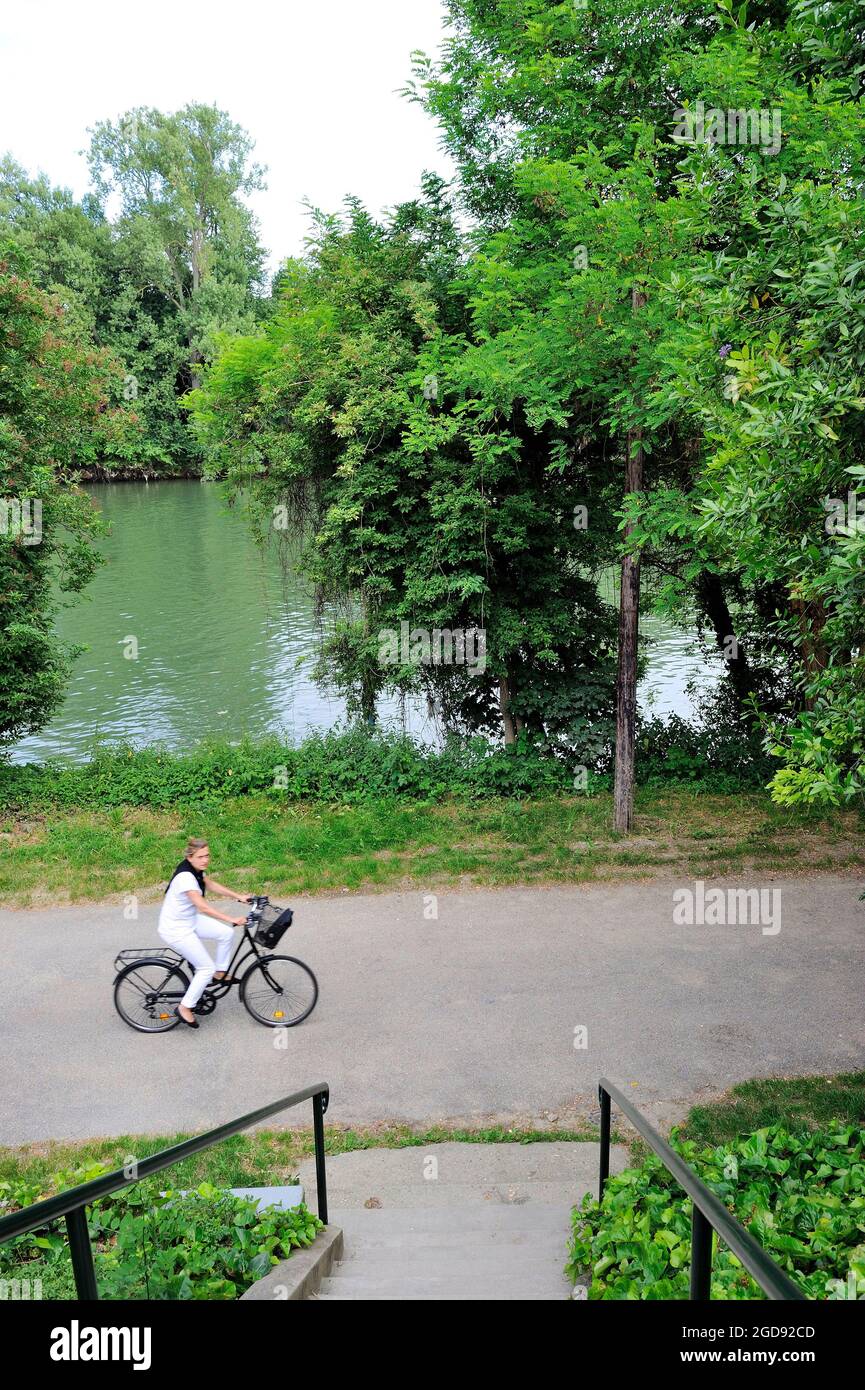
(314, 81)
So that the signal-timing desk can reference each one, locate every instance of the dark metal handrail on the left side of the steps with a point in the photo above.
(72, 1203)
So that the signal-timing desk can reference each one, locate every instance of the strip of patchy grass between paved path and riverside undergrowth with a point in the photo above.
(308, 849)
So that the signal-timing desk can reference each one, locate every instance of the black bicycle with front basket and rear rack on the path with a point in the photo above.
(279, 992)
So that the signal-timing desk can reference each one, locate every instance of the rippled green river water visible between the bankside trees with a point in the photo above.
(223, 636)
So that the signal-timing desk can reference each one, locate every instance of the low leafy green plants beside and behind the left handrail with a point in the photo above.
(156, 1243)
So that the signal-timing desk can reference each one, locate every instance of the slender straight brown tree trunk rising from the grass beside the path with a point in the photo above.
(629, 639)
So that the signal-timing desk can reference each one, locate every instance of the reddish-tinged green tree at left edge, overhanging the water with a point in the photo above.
(56, 416)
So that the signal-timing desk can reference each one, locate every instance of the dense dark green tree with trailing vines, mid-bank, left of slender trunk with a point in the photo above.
(435, 505)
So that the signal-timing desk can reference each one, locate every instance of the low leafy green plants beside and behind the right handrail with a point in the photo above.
(802, 1196)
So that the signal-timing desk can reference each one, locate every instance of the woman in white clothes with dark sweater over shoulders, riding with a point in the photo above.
(184, 921)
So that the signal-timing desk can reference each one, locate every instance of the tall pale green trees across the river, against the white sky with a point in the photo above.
(159, 286)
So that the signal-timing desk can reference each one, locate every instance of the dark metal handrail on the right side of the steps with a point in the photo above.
(709, 1211)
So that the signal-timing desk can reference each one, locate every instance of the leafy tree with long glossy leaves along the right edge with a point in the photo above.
(767, 357)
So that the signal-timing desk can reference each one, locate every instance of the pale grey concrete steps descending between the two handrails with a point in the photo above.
(455, 1221)
